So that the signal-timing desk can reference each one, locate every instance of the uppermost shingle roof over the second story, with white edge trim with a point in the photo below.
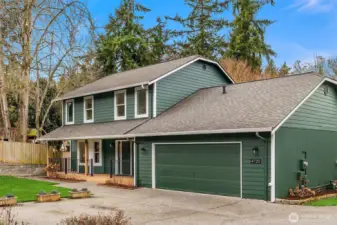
(131, 78)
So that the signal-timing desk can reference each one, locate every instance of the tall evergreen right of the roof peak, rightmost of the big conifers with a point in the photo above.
(247, 40)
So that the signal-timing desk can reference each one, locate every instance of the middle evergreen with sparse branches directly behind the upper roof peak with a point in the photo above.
(201, 33)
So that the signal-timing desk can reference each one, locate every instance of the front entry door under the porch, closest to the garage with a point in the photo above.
(124, 160)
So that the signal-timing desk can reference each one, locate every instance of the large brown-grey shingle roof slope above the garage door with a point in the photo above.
(252, 106)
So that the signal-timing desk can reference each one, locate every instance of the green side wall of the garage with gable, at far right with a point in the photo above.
(311, 129)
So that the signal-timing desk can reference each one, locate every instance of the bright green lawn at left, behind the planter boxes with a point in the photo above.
(26, 189)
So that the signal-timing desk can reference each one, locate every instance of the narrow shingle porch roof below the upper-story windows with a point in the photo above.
(92, 130)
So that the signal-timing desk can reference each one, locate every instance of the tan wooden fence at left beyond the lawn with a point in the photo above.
(23, 153)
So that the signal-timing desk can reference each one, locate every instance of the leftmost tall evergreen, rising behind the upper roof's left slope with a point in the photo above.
(126, 44)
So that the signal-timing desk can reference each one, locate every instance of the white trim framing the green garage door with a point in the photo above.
(187, 143)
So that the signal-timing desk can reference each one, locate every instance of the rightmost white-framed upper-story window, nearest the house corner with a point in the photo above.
(141, 102)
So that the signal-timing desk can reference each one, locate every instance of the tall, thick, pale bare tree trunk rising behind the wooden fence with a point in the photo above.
(26, 45)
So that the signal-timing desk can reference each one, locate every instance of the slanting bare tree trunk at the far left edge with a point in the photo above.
(3, 92)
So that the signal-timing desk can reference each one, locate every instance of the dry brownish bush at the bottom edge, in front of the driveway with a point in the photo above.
(112, 218)
